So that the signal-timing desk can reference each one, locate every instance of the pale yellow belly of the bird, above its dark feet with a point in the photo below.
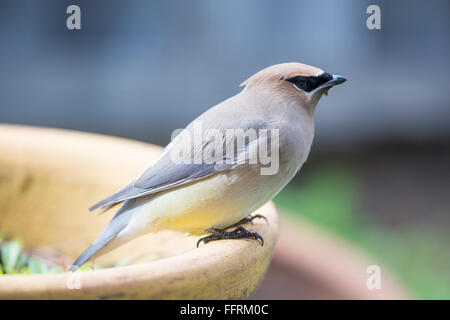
(217, 201)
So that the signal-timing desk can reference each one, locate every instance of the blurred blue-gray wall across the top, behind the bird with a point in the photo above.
(140, 69)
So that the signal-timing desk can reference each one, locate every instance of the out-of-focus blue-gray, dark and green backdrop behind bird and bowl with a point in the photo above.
(378, 175)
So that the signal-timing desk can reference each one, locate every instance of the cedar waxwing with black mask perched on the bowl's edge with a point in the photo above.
(219, 169)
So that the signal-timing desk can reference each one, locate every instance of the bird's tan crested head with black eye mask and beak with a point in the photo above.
(293, 82)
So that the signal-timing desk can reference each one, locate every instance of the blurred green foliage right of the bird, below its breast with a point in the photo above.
(416, 254)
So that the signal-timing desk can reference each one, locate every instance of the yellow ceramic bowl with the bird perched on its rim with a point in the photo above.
(48, 180)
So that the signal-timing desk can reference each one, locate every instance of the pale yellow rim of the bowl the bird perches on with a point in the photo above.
(204, 264)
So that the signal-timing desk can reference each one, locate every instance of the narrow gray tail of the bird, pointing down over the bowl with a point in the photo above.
(110, 232)
